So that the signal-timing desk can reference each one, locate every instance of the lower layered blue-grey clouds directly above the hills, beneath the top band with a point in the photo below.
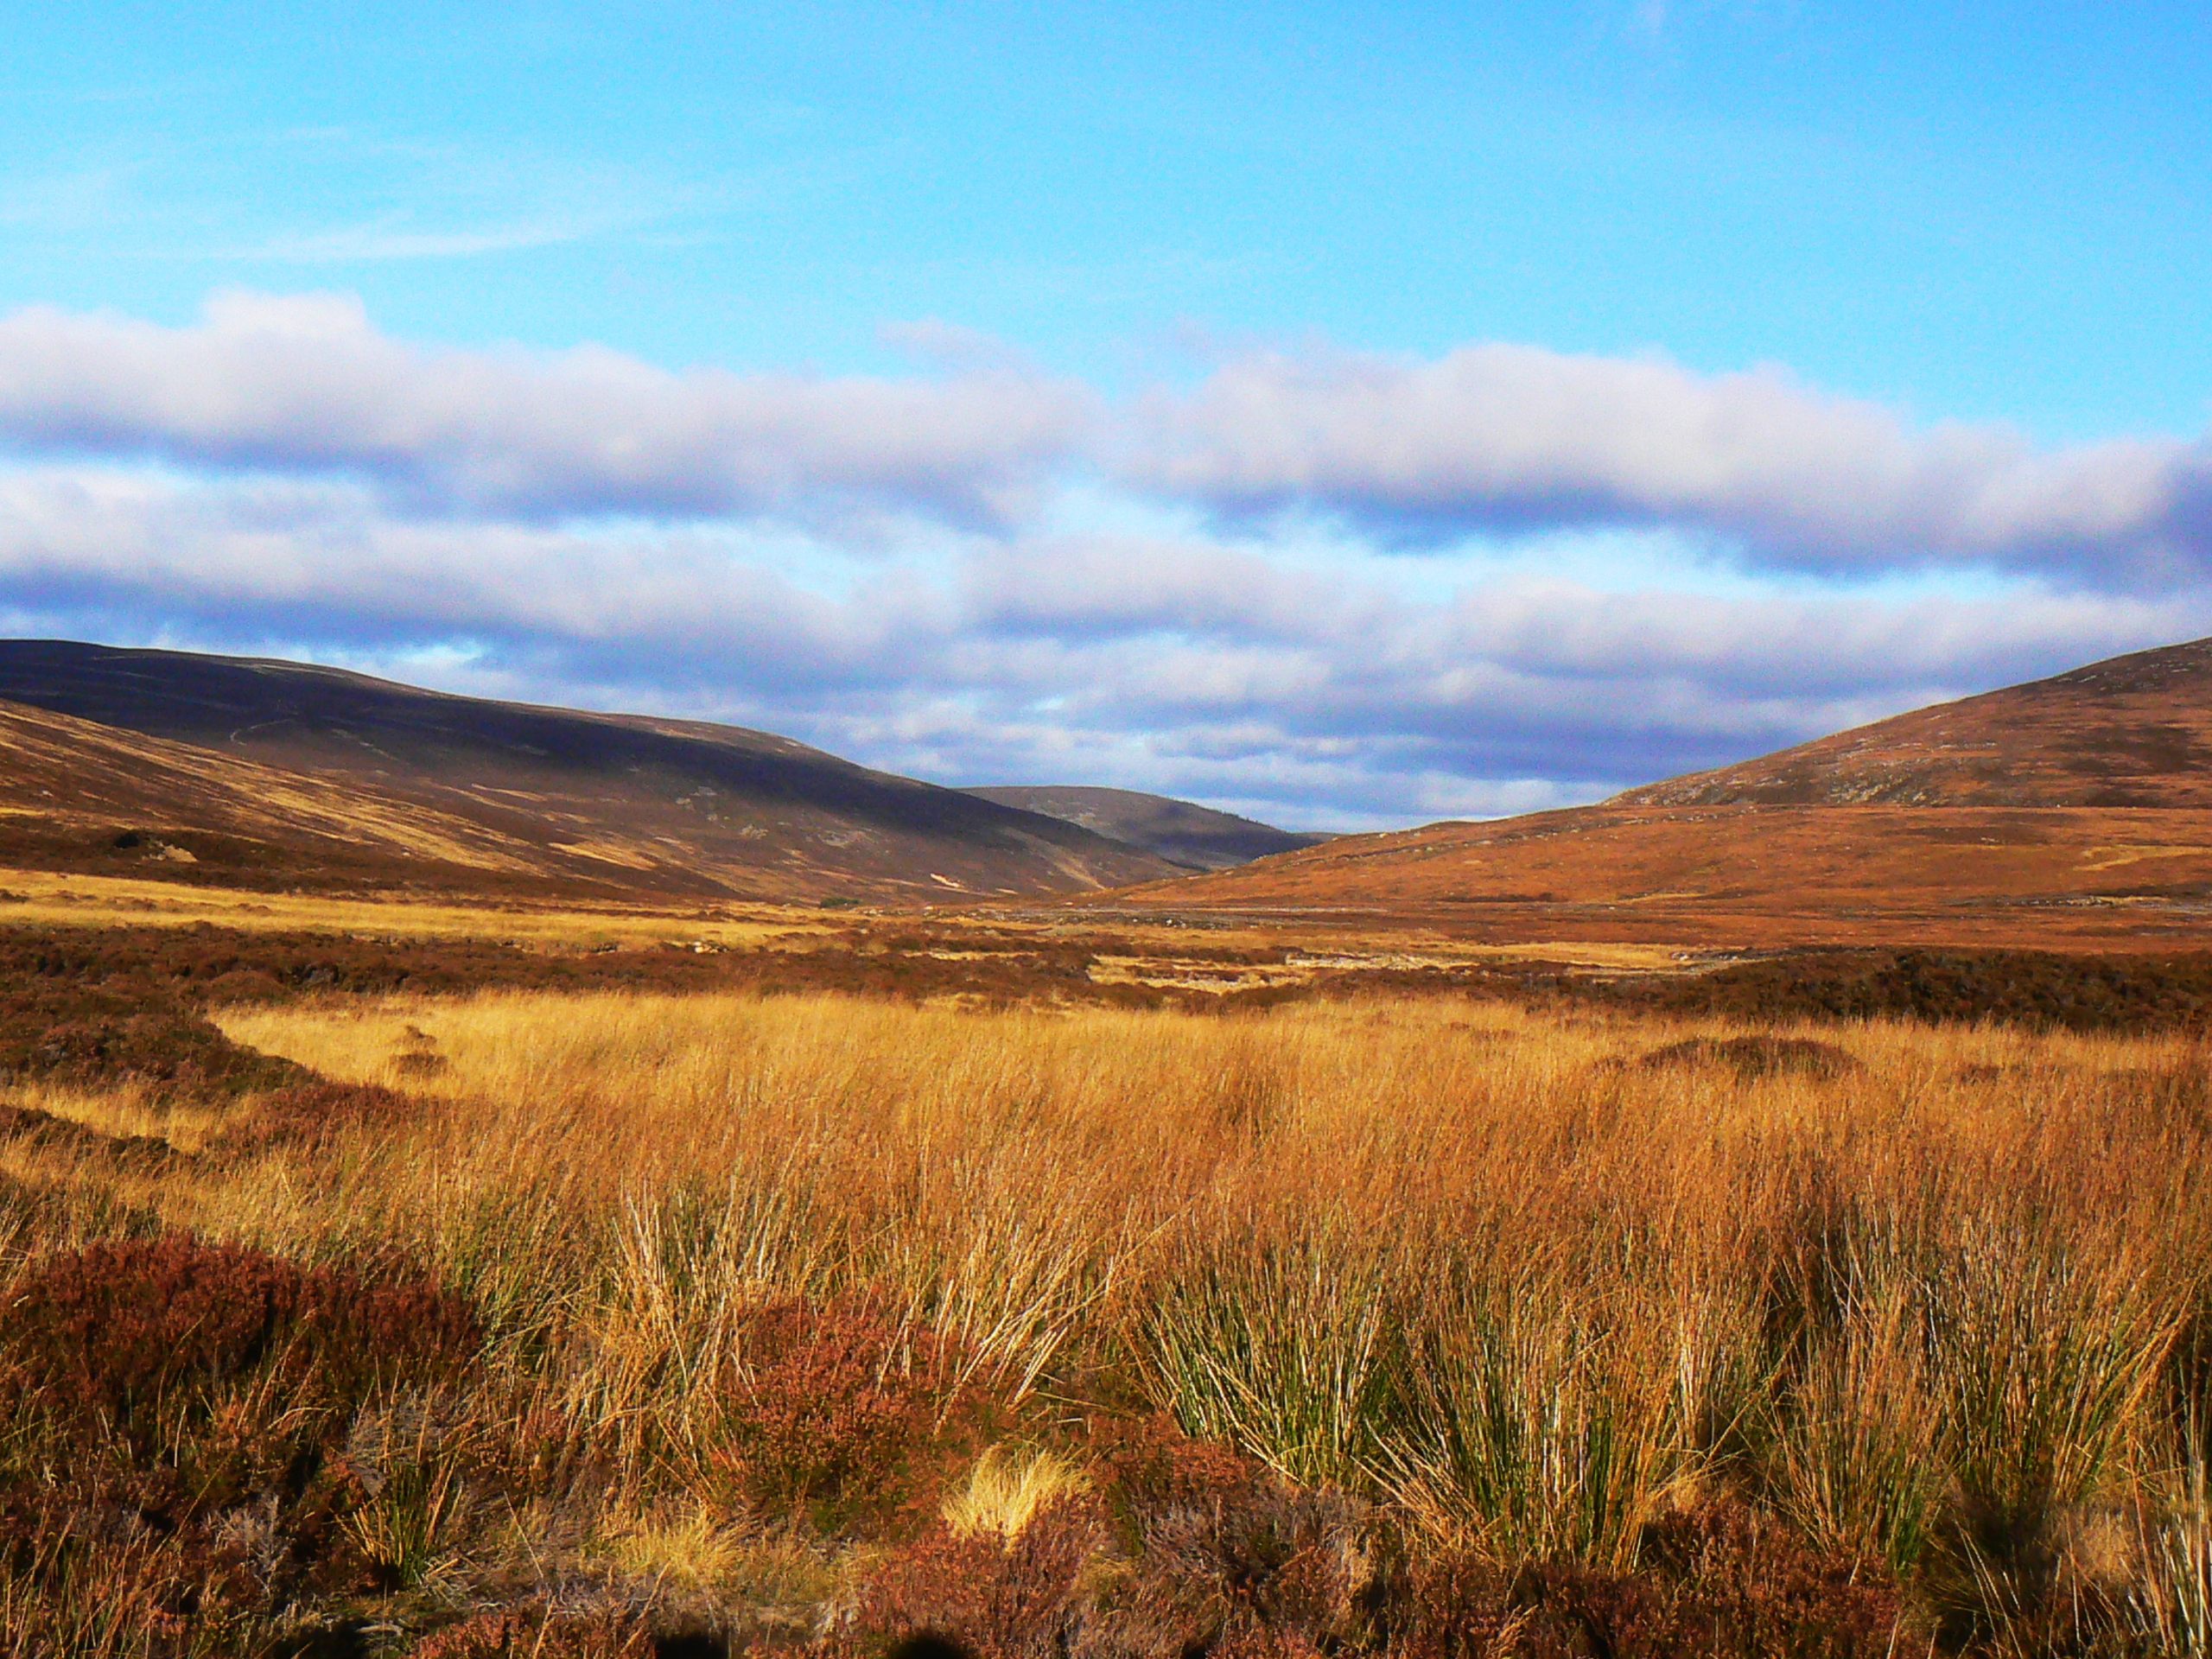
(1315, 696)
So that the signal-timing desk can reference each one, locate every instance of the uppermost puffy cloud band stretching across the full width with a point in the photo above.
(1501, 439)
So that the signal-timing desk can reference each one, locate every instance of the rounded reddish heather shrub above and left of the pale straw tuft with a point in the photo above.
(839, 1417)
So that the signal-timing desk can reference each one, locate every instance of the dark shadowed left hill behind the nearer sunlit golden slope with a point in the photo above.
(605, 802)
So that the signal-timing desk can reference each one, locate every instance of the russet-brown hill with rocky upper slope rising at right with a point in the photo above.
(2063, 811)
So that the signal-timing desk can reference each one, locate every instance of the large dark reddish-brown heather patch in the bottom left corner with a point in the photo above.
(178, 1415)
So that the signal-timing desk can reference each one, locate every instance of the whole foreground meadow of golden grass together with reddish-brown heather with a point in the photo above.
(587, 1322)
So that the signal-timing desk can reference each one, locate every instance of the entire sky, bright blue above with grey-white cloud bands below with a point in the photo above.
(1342, 415)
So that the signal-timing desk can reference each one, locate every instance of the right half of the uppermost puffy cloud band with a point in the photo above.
(1516, 439)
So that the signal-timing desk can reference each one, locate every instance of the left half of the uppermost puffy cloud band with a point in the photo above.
(309, 386)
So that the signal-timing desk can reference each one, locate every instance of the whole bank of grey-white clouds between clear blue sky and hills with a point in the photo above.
(939, 574)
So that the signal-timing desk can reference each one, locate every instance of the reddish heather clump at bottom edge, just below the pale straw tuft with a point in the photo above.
(990, 1596)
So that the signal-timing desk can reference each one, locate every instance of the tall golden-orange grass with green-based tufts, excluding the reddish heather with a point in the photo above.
(1939, 1300)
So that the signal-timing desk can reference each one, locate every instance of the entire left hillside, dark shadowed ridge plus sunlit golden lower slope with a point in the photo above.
(488, 793)
